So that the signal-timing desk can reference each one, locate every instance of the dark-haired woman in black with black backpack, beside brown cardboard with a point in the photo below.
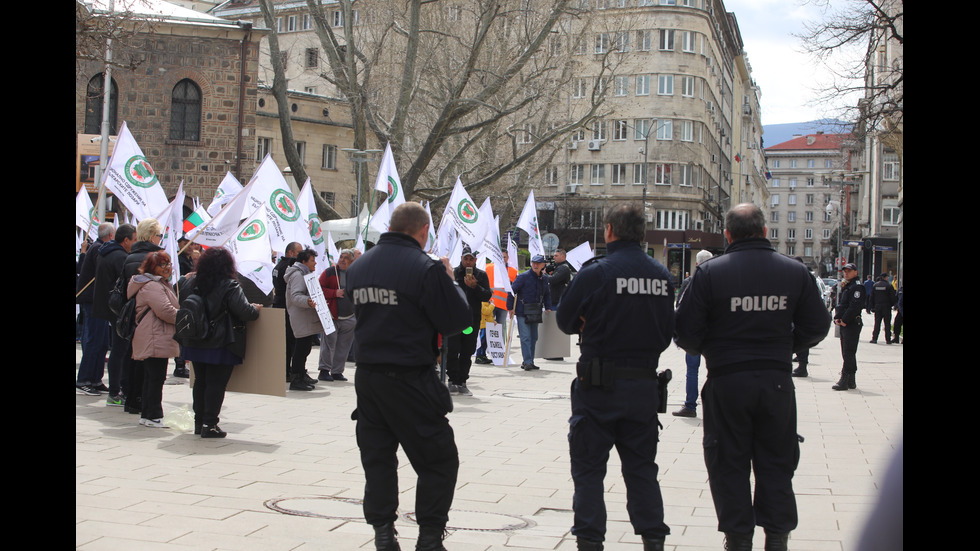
(216, 352)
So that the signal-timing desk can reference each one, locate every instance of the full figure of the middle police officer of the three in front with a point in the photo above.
(623, 307)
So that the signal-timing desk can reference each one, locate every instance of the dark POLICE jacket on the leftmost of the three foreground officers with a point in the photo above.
(403, 298)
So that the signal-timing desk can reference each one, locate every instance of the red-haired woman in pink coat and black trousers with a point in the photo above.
(153, 341)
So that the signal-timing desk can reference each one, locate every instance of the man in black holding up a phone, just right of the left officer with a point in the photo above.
(460, 348)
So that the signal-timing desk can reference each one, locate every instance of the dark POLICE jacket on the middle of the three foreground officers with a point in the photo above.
(627, 301)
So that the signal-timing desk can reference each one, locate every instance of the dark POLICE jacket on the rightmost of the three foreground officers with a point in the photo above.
(750, 308)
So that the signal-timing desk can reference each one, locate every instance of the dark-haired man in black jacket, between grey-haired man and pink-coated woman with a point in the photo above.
(108, 268)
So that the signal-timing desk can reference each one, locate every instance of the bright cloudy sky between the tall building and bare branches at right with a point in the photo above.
(788, 77)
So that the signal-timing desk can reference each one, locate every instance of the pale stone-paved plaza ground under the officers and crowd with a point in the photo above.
(288, 476)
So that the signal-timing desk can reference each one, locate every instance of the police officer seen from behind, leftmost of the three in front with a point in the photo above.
(403, 299)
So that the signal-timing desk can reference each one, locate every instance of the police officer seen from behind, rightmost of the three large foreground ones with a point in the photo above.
(746, 312)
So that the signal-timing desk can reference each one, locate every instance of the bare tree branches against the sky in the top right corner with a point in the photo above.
(865, 28)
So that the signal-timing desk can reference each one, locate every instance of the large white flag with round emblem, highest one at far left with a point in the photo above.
(131, 178)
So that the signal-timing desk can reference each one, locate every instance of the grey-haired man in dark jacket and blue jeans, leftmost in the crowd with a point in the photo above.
(95, 331)
